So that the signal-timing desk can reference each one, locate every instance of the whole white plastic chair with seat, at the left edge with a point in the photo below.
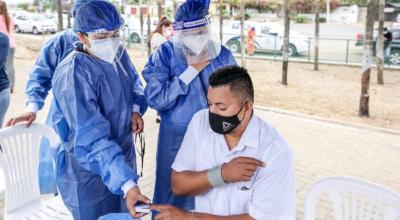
(19, 157)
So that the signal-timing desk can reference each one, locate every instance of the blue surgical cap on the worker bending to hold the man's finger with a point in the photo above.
(97, 15)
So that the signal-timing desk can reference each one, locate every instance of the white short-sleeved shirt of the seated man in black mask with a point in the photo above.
(270, 194)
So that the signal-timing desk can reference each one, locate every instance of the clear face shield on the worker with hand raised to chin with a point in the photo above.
(196, 41)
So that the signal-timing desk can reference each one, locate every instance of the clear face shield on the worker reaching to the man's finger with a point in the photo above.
(105, 45)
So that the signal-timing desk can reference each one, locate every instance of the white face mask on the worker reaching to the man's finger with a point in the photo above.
(105, 49)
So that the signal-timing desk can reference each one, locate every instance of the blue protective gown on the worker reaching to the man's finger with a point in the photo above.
(94, 101)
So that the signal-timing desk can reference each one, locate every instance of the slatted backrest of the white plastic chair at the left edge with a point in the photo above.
(19, 157)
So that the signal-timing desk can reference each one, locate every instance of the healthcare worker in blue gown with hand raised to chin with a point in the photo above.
(177, 81)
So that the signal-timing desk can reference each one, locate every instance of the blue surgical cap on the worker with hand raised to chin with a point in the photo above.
(192, 10)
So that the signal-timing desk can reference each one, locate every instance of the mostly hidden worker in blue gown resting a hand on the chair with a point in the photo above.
(38, 86)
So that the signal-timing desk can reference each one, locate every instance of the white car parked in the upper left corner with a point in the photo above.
(34, 23)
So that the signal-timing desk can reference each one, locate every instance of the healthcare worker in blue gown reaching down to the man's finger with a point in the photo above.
(94, 95)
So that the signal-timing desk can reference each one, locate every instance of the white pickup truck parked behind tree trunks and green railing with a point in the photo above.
(268, 38)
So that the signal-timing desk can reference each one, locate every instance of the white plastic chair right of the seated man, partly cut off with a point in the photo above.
(352, 199)
